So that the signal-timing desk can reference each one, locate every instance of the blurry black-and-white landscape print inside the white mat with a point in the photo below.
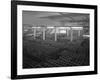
(55, 39)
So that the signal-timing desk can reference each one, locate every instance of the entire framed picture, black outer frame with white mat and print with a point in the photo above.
(67, 15)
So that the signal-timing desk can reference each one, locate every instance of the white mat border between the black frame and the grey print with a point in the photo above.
(21, 71)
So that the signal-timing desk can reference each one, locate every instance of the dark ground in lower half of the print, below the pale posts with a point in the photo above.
(49, 53)
